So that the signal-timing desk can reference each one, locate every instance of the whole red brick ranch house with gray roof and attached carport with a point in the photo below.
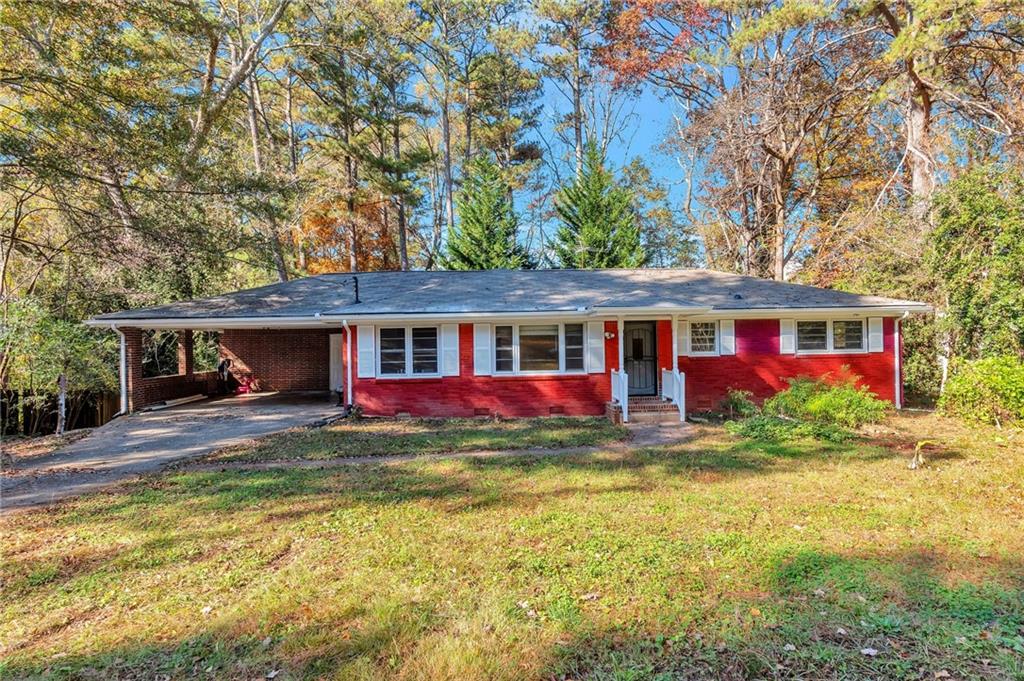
(526, 344)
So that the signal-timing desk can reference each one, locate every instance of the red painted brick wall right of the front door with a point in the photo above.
(759, 368)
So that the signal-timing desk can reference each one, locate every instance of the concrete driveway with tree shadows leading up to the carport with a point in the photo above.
(145, 443)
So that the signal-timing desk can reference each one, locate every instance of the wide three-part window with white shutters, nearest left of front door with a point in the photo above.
(539, 349)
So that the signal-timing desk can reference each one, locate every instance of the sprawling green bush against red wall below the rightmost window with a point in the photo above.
(828, 401)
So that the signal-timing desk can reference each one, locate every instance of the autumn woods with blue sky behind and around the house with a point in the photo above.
(159, 150)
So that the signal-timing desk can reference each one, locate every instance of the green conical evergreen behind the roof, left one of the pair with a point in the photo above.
(486, 235)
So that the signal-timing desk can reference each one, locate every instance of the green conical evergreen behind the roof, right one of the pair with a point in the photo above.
(600, 227)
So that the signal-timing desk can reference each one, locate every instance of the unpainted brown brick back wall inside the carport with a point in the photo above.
(280, 359)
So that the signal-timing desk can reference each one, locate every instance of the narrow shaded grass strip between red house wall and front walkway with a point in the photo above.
(361, 438)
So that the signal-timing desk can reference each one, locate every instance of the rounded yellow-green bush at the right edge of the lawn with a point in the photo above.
(989, 391)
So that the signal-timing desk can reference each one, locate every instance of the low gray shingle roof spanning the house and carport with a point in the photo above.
(506, 291)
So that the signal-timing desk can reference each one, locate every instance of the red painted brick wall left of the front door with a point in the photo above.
(467, 395)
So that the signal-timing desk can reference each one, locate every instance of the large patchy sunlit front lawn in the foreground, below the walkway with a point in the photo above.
(719, 558)
